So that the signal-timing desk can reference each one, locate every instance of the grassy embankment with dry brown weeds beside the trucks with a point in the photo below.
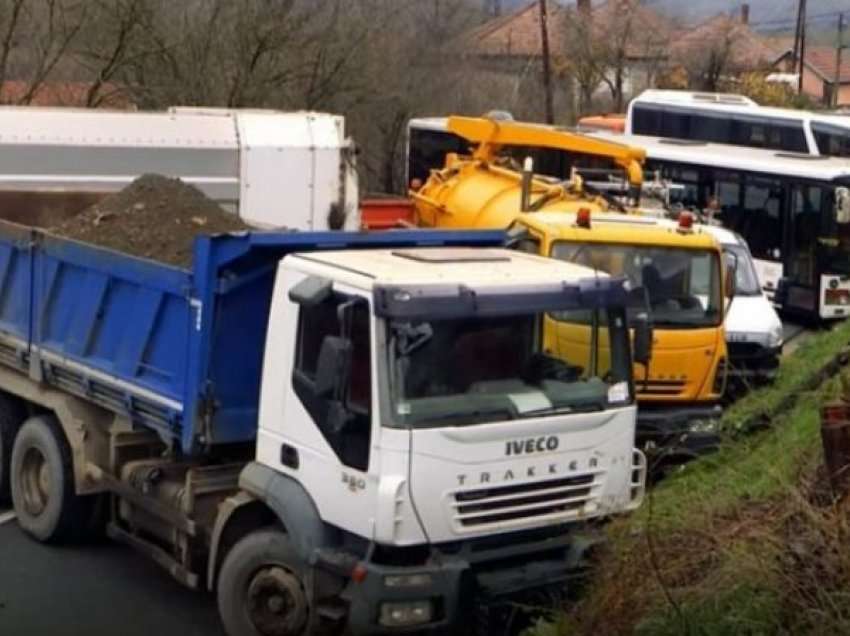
(746, 541)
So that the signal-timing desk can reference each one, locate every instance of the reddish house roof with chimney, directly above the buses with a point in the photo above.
(747, 48)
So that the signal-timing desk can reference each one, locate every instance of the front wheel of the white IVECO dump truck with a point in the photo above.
(261, 590)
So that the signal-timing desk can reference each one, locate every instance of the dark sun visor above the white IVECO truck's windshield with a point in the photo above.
(431, 302)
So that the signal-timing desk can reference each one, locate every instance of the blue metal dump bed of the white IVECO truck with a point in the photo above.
(175, 350)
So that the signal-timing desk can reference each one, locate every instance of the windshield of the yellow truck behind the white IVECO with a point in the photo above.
(681, 286)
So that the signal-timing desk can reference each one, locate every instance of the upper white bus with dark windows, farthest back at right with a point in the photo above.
(734, 119)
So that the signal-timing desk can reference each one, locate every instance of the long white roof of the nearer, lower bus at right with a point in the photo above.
(735, 157)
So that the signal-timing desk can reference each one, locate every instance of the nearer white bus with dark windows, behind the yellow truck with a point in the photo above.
(792, 209)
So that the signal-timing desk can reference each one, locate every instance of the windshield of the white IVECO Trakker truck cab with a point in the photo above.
(467, 371)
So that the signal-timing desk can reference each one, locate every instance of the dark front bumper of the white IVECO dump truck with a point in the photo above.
(453, 585)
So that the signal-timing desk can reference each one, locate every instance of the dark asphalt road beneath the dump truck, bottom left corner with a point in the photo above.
(100, 590)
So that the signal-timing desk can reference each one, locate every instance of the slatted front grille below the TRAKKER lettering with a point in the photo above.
(524, 502)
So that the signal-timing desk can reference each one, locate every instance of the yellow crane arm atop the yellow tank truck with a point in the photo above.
(490, 135)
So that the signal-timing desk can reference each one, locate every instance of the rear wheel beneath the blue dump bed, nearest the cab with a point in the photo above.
(43, 484)
